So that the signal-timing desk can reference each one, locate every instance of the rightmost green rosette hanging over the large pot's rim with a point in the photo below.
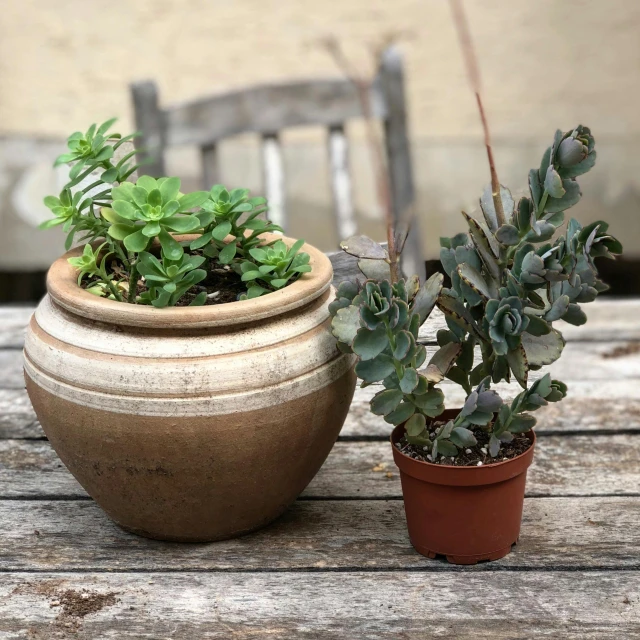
(273, 265)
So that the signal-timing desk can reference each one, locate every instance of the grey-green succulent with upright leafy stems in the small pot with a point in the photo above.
(509, 282)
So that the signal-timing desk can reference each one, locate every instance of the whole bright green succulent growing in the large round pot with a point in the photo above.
(121, 221)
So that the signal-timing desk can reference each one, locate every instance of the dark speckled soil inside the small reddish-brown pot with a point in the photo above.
(474, 456)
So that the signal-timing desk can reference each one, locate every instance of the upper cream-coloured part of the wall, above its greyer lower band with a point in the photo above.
(65, 63)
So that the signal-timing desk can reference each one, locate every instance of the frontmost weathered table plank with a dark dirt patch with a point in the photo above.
(572, 605)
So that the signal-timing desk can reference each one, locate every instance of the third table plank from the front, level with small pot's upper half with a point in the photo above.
(563, 465)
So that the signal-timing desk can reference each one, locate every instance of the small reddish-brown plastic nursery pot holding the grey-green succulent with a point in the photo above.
(468, 514)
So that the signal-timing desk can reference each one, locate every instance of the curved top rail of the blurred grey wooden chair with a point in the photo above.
(267, 108)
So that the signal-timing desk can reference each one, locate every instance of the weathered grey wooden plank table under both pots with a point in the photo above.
(339, 564)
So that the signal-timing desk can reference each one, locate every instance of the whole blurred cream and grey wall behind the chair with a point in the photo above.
(545, 64)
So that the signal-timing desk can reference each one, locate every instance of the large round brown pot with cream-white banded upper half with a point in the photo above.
(191, 423)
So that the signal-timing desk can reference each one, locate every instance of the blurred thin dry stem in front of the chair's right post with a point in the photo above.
(374, 142)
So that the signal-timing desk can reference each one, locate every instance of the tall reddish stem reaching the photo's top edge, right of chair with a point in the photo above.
(473, 74)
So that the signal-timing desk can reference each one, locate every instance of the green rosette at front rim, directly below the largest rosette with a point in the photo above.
(168, 280)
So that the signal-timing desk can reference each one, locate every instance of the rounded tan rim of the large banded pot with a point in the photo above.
(64, 290)
